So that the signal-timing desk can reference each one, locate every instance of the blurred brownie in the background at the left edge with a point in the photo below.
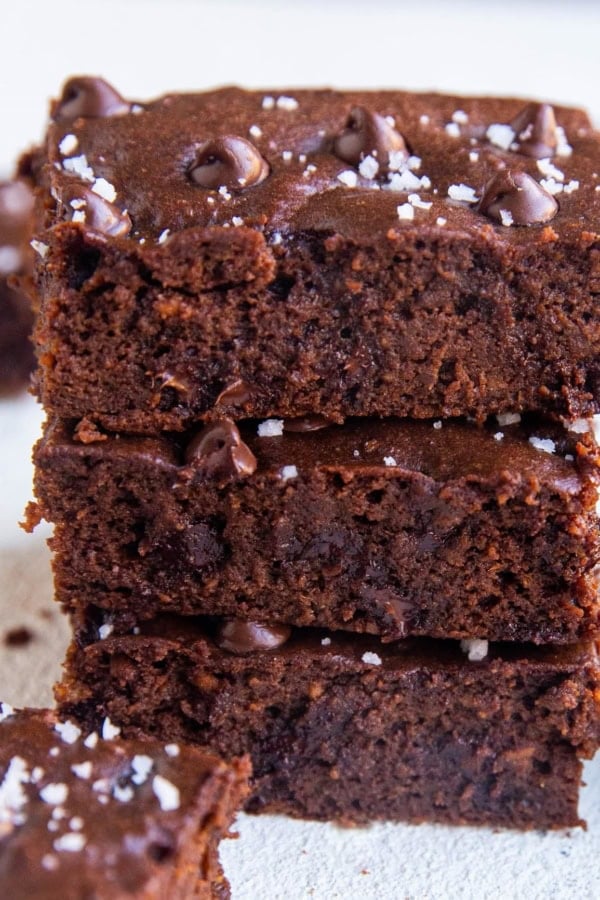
(16, 315)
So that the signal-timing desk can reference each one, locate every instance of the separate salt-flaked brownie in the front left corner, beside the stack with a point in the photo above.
(84, 816)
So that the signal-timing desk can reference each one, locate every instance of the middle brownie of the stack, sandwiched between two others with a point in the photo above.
(394, 527)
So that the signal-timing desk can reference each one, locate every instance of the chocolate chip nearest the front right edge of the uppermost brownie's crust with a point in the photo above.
(516, 198)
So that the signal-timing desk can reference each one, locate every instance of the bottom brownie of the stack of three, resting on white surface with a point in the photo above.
(343, 727)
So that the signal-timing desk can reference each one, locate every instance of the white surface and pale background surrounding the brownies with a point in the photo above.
(146, 47)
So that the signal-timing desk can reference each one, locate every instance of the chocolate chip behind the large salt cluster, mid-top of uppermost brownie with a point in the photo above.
(369, 134)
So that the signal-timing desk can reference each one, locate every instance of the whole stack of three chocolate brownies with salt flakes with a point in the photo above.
(318, 369)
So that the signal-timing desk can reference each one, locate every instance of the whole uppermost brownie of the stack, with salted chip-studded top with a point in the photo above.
(314, 251)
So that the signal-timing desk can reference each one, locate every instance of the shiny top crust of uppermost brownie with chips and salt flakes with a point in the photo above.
(354, 163)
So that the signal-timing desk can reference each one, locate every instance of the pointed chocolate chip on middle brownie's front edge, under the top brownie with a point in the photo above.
(218, 450)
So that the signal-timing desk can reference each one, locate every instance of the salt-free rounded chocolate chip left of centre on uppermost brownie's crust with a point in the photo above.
(230, 162)
